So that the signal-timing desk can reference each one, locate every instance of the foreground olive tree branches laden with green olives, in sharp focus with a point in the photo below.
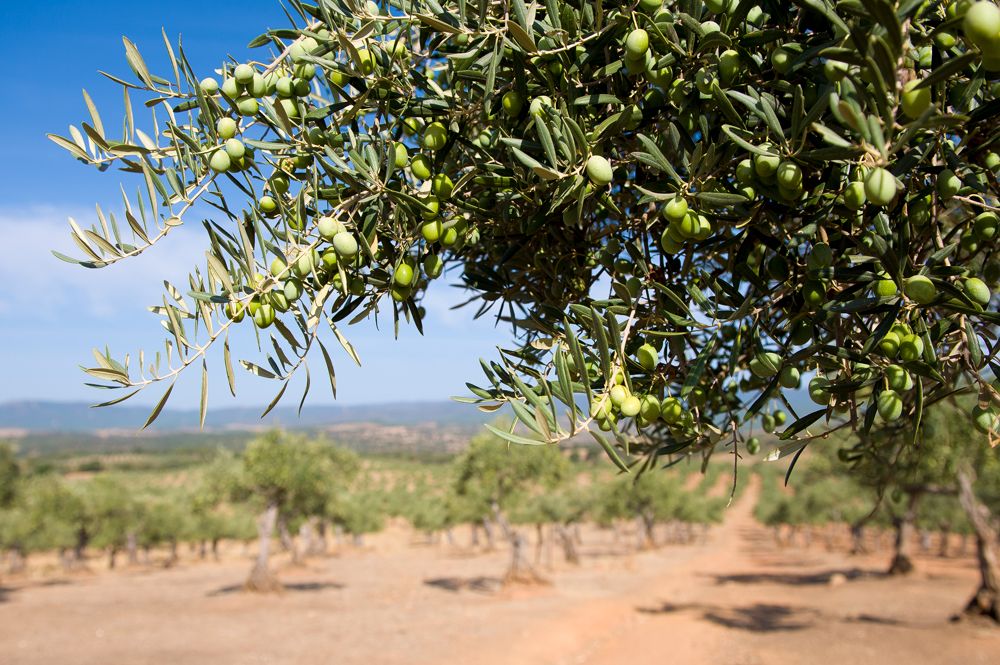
(681, 208)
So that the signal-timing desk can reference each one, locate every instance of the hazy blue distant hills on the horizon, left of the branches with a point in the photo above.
(40, 416)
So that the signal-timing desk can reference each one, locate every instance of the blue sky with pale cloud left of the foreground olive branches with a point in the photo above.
(52, 313)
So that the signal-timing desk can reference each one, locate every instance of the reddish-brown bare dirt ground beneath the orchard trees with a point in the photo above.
(735, 599)
